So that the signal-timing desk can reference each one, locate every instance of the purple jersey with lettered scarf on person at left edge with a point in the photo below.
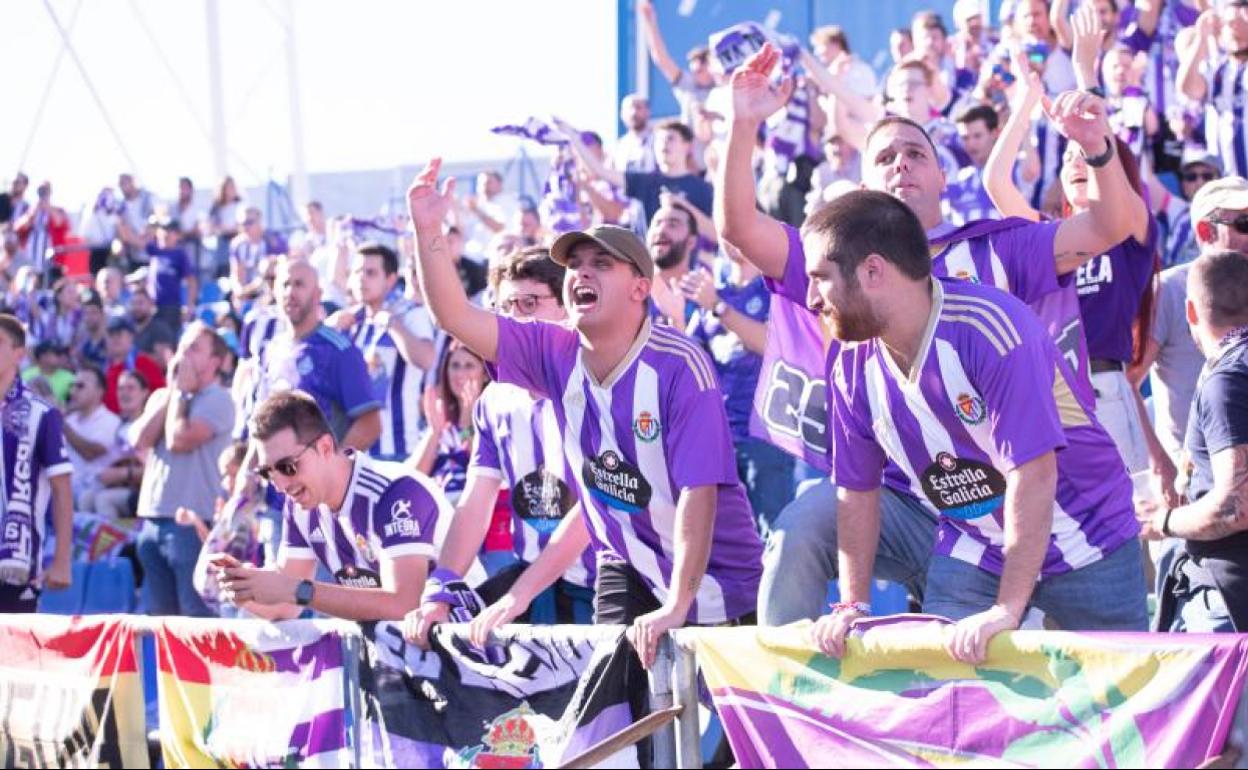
(33, 454)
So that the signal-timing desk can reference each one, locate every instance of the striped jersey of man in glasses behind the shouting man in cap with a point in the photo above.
(520, 444)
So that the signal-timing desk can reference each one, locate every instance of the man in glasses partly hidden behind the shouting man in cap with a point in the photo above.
(517, 447)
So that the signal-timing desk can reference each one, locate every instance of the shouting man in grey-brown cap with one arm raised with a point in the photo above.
(645, 430)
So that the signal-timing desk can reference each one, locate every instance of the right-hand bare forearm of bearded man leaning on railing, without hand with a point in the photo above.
(1029, 522)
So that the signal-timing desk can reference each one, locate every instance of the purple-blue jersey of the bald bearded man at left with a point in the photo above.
(326, 366)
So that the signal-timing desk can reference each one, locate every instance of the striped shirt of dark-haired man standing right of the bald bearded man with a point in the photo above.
(396, 384)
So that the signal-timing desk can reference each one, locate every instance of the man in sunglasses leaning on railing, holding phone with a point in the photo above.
(370, 524)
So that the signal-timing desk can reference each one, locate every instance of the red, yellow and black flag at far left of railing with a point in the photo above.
(71, 693)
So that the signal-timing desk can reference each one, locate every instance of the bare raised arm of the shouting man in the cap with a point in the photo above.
(440, 281)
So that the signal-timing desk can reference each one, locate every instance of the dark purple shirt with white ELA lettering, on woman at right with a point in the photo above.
(1111, 289)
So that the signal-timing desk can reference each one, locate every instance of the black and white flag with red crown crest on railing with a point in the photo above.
(556, 693)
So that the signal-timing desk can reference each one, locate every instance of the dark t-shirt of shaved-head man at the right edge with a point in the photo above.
(1219, 422)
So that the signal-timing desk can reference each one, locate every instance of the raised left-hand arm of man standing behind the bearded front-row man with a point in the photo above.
(762, 239)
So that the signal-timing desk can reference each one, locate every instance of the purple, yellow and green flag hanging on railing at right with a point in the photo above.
(1043, 699)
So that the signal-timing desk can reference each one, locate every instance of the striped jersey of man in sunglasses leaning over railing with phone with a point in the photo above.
(390, 512)
